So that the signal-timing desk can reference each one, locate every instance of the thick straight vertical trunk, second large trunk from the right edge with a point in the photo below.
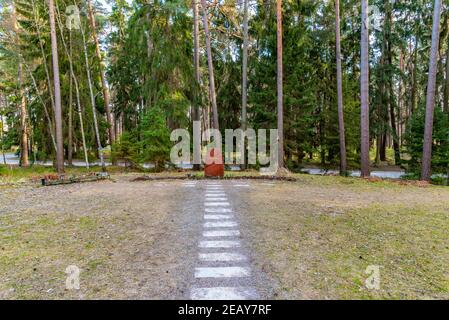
(364, 92)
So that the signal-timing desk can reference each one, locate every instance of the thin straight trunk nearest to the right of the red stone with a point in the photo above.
(245, 77)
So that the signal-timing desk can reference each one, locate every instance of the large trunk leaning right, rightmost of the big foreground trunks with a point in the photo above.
(430, 103)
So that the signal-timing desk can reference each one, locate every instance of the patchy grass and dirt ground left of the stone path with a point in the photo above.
(127, 238)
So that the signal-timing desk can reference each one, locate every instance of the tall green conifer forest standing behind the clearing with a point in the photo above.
(349, 84)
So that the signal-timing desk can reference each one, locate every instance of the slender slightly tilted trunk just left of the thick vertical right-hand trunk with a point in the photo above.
(341, 122)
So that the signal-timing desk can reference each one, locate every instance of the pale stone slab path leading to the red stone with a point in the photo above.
(222, 271)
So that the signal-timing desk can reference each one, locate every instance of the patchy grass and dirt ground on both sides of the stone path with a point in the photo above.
(311, 239)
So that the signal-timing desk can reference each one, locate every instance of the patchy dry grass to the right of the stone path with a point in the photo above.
(317, 237)
